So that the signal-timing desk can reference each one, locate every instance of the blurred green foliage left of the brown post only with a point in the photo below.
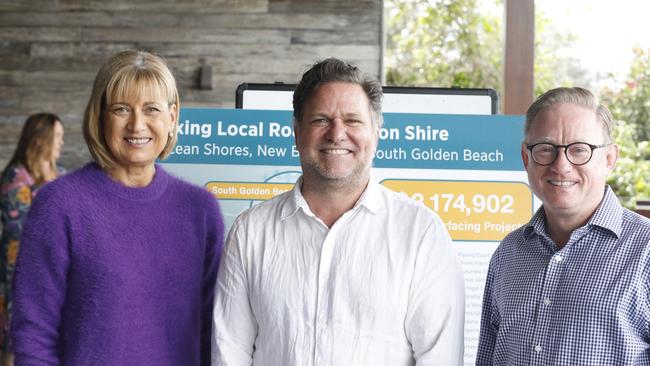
(443, 43)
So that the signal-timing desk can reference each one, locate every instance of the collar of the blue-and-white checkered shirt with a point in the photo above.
(608, 215)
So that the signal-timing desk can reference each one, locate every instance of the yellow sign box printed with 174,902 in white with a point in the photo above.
(473, 211)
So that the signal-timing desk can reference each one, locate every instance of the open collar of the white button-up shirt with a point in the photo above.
(370, 199)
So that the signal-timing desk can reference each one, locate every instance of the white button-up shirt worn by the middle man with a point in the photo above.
(382, 286)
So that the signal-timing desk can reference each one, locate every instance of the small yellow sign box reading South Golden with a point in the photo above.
(247, 190)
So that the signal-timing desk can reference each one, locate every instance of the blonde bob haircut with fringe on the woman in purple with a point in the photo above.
(126, 74)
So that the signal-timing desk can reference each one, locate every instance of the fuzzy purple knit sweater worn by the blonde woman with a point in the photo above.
(112, 275)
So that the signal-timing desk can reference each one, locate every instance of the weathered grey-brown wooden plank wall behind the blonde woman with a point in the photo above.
(50, 50)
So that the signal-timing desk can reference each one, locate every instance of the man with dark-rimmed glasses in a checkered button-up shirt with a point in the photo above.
(571, 287)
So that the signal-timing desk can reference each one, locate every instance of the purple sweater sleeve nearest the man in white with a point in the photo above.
(214, 247)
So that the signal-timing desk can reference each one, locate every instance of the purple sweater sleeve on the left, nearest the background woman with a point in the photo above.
(40, 282)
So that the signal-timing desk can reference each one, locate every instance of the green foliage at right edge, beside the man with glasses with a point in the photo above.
(630, 107)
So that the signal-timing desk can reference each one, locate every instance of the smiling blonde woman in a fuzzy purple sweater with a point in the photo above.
(118, 260)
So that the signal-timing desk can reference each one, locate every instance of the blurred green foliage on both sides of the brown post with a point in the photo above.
(457, 42)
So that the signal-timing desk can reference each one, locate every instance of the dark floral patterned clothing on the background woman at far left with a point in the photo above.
(17, 188)
